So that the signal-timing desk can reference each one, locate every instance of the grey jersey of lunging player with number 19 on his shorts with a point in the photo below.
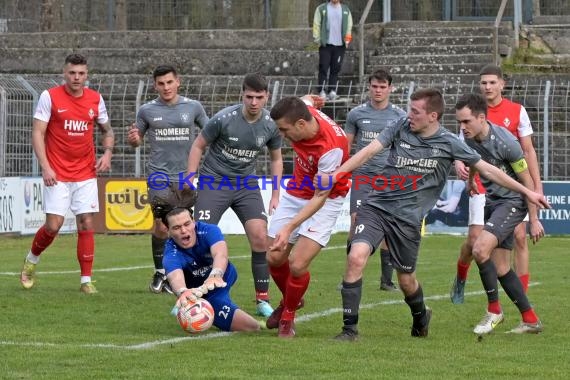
(416, 170)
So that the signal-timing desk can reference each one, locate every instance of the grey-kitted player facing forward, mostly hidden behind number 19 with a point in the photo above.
(363, 124)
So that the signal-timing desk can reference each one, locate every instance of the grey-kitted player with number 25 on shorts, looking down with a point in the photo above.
(236, 136)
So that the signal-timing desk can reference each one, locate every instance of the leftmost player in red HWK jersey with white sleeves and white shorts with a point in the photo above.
(62, 138)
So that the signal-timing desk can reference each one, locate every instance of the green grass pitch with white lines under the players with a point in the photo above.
(124, 332)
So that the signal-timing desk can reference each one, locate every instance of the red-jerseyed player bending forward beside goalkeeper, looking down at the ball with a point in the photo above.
(305, 217)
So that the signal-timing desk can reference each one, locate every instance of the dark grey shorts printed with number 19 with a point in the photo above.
(403, 239)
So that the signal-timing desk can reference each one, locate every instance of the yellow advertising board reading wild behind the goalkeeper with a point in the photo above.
(126, 206)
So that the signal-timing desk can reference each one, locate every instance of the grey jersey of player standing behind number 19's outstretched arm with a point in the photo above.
(365, 123)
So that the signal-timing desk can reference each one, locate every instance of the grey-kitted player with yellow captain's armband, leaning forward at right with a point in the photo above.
(504, 210)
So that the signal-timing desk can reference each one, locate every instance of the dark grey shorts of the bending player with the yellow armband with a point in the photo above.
(501, 220)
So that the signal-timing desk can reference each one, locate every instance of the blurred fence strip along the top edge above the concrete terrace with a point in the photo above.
(84, 15)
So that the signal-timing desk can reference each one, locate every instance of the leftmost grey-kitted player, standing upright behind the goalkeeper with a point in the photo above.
(170, 122)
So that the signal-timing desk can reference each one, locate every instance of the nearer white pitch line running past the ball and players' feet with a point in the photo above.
(222, 334)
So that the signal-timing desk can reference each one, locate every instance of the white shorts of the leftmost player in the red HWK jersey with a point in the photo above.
(79, 197)
